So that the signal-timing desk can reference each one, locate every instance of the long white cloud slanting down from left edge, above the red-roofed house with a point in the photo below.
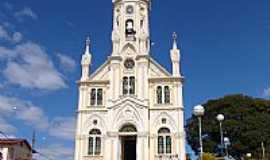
(25, 111)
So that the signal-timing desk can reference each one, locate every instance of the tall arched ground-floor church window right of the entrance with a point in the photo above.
(164, 141)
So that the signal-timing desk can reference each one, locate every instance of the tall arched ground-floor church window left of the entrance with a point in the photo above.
(94, 144)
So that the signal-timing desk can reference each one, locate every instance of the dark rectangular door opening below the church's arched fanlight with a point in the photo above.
(128, 145)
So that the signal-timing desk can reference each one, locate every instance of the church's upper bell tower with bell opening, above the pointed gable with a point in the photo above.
(131, 26)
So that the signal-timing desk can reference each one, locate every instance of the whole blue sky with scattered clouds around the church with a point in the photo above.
(225, 47)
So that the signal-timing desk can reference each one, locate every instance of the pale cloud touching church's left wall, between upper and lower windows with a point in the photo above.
(63, 128)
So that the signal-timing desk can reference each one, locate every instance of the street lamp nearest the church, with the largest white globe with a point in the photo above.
(198, 111)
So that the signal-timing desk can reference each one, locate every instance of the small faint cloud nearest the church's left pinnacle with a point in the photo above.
(66, 62)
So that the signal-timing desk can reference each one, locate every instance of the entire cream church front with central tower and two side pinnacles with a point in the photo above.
(130, 108)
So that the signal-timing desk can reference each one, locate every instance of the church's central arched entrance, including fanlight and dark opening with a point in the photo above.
(128, 137)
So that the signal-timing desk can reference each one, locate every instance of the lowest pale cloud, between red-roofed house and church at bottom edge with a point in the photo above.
(55, 152)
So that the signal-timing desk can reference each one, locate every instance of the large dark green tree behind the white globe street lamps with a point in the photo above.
(247, 124)
